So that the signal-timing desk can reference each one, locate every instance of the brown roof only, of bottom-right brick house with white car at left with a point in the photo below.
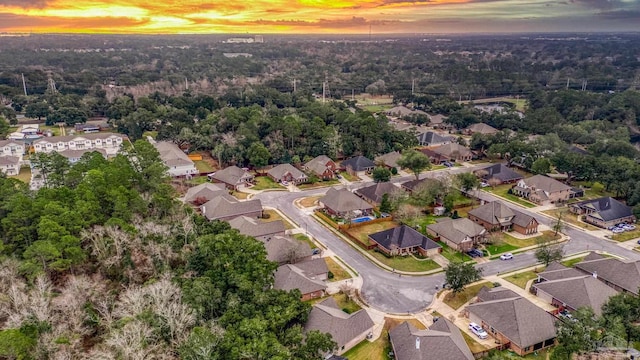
(518, 319)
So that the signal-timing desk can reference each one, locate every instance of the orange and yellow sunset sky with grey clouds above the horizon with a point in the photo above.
(317, 16)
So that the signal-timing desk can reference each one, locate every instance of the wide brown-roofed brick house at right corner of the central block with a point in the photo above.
(496, 216)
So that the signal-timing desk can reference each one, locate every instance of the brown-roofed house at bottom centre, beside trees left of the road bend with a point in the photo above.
(347, 330)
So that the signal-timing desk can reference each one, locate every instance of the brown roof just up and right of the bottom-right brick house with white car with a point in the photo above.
(579, 291)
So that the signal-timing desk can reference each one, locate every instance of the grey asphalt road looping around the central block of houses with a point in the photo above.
(392, 293)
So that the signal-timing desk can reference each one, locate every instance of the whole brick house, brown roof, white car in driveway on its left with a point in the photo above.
(513, 321)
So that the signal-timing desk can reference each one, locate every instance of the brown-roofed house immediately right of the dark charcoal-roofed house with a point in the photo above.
(460, 234)
